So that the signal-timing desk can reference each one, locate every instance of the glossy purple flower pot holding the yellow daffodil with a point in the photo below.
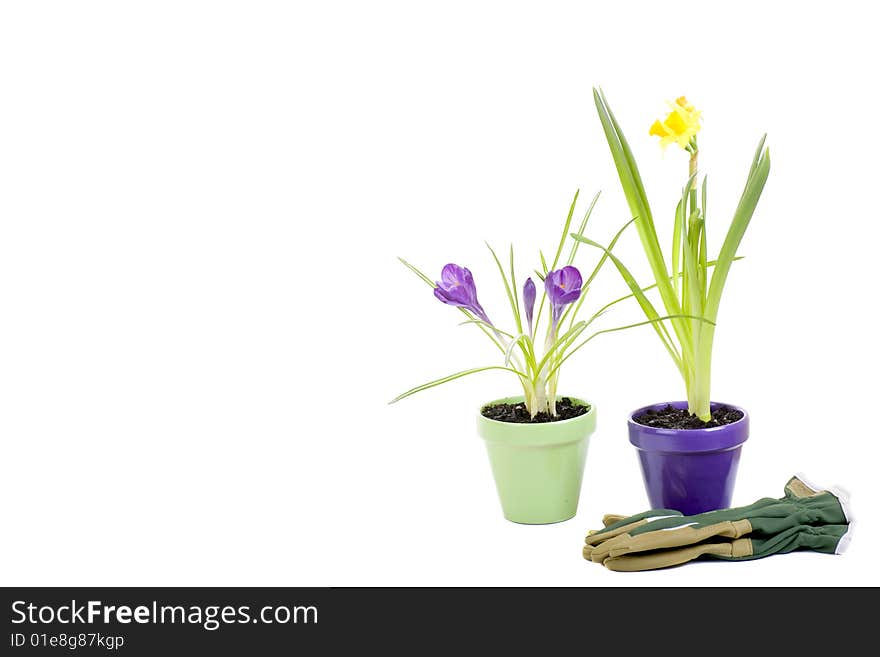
(690, 470)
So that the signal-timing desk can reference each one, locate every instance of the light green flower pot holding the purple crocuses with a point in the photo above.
(538, 468)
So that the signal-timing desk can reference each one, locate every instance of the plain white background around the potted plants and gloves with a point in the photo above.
(202, 317)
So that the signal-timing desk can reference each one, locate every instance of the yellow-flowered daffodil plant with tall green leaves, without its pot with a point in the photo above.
(683, 282)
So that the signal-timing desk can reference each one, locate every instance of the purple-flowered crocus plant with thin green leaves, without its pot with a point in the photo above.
(564, 291)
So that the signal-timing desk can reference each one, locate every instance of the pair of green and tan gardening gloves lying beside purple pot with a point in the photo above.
(805, 518)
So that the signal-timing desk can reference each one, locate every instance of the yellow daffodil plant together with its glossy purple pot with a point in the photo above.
(689, 450)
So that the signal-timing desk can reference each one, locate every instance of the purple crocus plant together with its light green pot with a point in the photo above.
(536, 441)
